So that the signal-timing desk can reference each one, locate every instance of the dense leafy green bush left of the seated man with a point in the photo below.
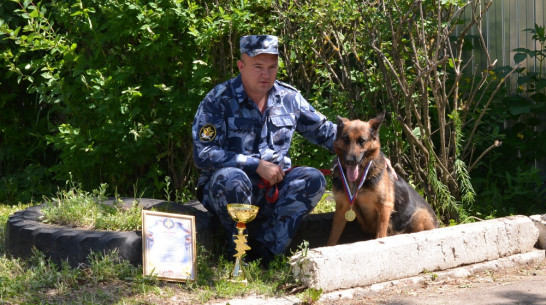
(113, 88)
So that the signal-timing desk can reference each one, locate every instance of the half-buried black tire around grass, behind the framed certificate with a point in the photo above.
(25, 230)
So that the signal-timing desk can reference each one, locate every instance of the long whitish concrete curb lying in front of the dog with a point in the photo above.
(374, 261)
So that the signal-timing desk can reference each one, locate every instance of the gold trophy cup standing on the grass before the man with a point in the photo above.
(242, 214)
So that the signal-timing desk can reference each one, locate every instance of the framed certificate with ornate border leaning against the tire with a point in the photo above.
(168, 246)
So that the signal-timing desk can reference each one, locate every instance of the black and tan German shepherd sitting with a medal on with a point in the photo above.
(382, 204)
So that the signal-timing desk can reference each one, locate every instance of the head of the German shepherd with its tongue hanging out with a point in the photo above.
(357, 142)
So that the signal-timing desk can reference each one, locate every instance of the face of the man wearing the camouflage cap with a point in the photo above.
(258, 73)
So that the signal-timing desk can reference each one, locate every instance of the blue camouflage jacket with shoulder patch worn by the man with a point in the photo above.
(230, 131)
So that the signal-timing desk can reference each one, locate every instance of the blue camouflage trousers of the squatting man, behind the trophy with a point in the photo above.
(272, 231)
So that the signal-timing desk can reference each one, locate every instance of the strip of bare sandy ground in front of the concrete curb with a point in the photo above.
(524, 284)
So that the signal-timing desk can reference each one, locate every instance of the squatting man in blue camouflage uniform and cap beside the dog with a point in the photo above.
(242, 133)
